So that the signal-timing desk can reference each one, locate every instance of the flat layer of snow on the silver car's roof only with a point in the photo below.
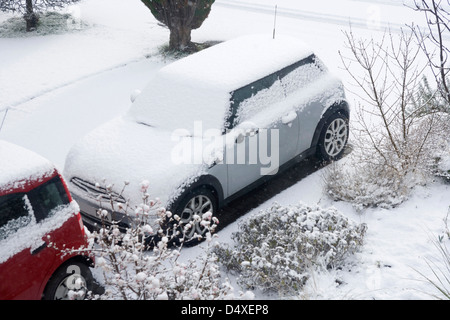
(250, 57)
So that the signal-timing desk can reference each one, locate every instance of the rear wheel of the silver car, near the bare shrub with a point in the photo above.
(333, 138)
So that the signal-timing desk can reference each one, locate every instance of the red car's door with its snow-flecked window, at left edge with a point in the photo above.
(24, 258)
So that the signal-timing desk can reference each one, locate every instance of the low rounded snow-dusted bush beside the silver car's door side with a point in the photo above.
(275, 249)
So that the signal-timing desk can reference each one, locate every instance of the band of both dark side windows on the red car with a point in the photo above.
(18, 210)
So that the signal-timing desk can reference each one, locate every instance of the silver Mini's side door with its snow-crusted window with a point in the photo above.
(258, 138)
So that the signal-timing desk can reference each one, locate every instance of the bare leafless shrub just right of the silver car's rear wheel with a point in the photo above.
(389, 82)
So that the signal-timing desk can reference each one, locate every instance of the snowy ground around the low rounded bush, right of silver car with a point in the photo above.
(397, 245)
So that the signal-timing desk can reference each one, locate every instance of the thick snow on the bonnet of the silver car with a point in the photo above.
(123, 149)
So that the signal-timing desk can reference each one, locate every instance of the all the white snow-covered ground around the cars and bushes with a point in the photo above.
(56, 88)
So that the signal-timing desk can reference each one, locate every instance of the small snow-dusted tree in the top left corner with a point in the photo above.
(31, 8)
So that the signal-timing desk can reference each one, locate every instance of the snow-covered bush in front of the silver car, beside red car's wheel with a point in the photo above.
(137, 266)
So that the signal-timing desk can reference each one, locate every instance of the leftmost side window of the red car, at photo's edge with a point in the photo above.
(15, 213)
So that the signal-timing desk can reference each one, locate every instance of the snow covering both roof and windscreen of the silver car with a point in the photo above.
(198, 87)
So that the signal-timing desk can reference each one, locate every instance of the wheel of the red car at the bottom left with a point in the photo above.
(71, 281)
